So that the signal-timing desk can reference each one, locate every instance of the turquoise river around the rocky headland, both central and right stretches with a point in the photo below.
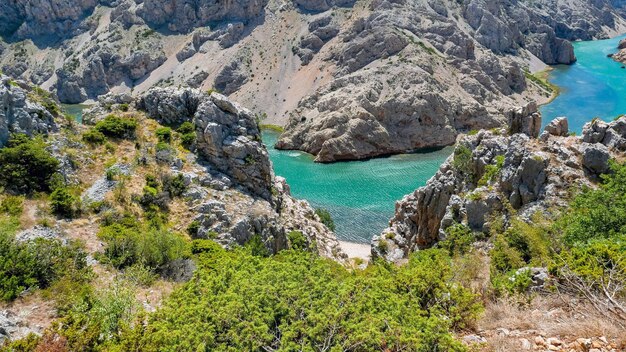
(361, 195)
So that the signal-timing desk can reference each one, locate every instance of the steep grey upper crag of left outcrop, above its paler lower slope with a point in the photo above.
(227, 134)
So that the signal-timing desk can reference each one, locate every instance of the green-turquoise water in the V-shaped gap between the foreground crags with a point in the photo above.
(360, 195)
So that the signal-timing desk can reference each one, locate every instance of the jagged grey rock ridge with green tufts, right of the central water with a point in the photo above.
(532, 175)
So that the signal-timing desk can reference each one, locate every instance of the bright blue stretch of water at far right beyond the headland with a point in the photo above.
(595, 86)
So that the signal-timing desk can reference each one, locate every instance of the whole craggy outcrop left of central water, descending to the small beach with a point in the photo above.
(232, 190)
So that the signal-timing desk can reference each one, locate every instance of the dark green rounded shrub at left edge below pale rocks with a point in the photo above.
(26, 166)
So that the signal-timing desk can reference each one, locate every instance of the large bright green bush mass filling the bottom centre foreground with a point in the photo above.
(297, 301)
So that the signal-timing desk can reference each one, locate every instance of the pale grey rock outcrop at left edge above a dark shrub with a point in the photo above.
(19, 113)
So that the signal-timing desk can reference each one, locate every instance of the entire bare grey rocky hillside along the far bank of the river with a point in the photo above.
(348, 79)
